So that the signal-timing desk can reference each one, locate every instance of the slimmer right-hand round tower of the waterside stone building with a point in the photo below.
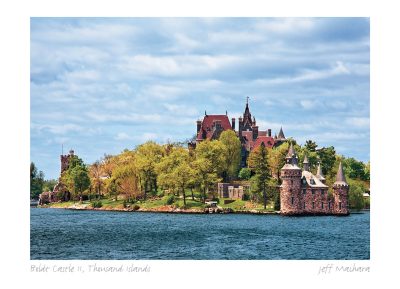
(341, 193)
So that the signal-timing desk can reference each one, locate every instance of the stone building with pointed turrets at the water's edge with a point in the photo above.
(303, 193)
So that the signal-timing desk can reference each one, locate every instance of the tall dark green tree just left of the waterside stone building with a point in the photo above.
(258, 161)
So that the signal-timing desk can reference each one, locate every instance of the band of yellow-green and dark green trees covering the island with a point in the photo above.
(151, 169)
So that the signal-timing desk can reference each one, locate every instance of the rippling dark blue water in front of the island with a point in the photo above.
(89, 235)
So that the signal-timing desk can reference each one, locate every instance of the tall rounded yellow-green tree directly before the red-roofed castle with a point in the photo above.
(232, 152)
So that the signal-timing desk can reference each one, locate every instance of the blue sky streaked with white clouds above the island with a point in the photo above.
(100, 85)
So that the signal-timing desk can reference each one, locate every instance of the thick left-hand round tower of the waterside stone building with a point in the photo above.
(290, 189)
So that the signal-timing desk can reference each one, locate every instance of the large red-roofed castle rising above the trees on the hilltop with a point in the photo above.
(248, 133)
